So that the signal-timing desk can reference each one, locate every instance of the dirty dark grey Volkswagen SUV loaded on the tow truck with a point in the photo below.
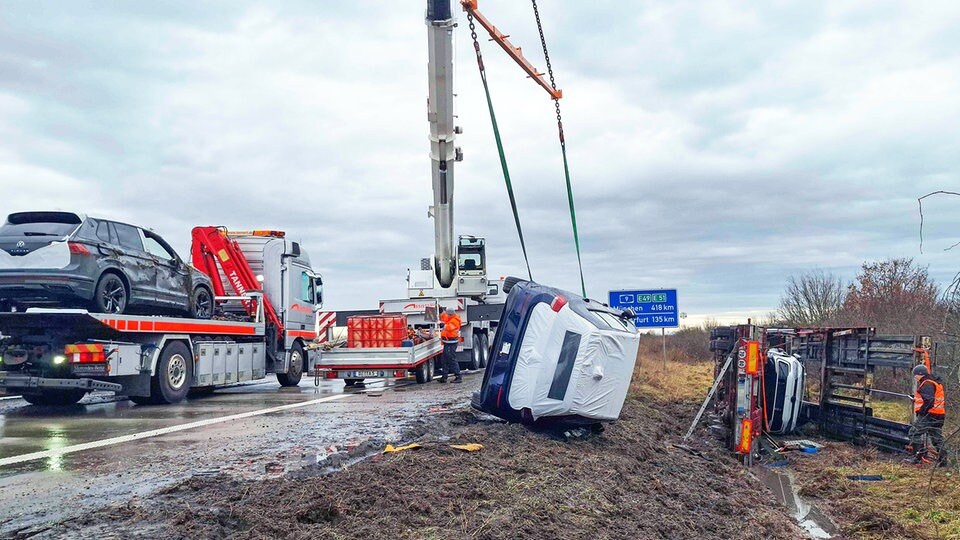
(64, 259)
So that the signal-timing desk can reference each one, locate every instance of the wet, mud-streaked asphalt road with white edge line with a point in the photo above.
(56, 463)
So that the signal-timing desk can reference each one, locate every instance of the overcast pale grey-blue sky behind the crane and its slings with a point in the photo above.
(715, 147)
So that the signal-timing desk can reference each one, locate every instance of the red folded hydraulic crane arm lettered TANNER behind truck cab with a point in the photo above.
(214, 251)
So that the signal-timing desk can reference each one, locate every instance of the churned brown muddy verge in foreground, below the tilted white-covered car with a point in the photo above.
(626, 483)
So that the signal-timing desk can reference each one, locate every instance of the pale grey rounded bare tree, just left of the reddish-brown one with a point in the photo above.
(812, 299)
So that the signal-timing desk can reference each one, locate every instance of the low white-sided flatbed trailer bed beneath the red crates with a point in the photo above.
(356, 364)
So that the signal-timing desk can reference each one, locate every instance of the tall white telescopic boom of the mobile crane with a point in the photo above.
(443, 152)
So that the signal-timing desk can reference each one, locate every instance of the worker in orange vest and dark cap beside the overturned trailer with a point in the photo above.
(929, 407)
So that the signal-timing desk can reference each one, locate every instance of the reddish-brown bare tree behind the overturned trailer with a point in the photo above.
(896, 297)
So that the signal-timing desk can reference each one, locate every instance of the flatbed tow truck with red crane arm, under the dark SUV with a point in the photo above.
(56, 356)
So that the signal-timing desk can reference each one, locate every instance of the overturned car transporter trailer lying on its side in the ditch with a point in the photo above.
(848, 376)
